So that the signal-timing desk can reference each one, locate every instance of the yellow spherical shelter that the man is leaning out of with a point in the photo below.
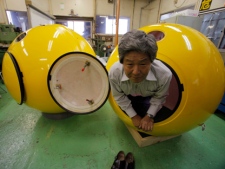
(198, 82)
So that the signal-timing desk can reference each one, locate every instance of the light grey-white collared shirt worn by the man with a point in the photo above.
(155, 85)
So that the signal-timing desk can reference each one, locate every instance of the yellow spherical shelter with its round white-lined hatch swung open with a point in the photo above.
(53, 69)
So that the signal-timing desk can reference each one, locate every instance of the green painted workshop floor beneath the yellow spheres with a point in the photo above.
(30, 141)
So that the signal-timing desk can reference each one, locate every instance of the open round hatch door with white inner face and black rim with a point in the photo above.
(78, 82)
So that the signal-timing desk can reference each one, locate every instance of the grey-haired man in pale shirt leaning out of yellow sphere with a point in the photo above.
(138, 81)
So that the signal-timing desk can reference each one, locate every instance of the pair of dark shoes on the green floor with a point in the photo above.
(122, 162)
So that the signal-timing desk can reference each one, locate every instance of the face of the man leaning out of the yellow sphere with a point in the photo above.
(136, 66)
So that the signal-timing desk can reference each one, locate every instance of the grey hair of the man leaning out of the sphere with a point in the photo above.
(139, 41)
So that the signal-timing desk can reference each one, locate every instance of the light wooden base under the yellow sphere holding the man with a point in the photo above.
(147, 140)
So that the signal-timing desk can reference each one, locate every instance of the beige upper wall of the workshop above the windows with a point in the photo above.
(142, 14)
